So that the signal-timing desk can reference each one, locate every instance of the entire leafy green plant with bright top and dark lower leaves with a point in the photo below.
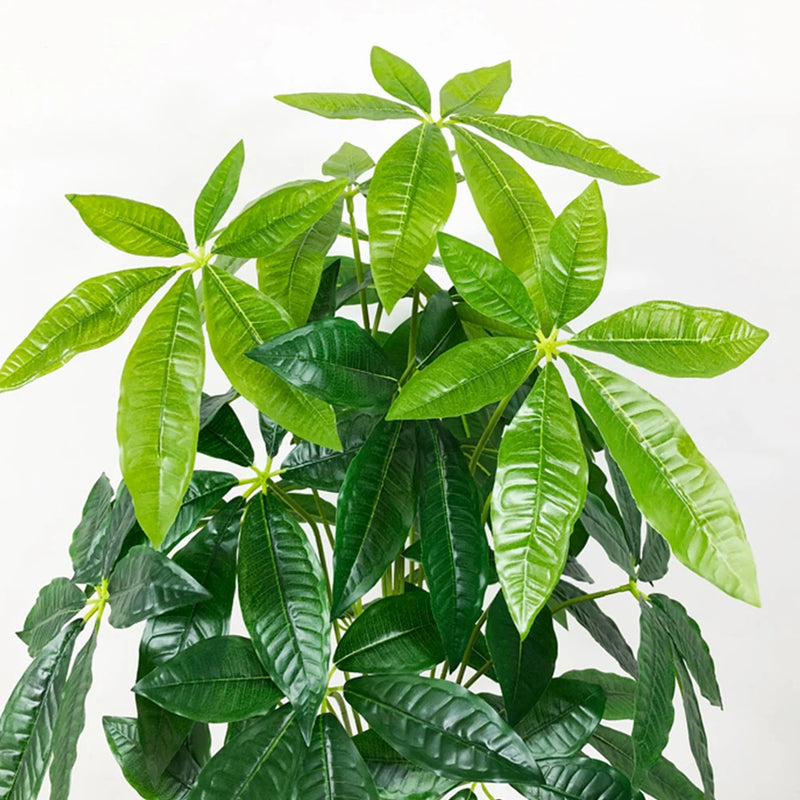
(445, 464)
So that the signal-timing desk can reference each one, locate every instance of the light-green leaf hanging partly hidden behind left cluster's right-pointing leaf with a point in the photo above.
(291, 276)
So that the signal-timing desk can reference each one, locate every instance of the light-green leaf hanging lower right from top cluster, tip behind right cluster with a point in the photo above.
(511, 206)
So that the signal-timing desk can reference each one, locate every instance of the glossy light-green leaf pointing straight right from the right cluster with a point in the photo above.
(674, 339)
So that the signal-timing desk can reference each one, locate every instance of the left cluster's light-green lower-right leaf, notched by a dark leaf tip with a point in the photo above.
(239, 317)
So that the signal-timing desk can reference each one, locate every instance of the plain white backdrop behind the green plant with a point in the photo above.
(142, 99)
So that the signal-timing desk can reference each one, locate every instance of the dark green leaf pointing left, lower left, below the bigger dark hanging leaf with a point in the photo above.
(215, 680)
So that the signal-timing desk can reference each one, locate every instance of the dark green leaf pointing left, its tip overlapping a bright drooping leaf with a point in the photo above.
(333, 359)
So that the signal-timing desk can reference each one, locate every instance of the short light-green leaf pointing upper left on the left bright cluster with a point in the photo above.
(130, 226)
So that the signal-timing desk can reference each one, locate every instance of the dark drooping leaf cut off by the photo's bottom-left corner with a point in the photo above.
(26, 725)
